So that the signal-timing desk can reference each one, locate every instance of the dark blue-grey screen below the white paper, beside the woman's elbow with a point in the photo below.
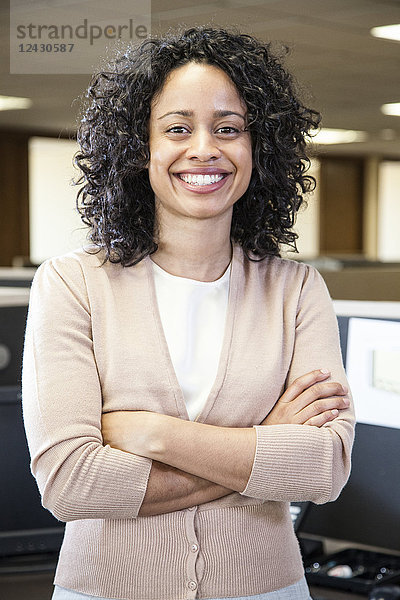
(368, 509)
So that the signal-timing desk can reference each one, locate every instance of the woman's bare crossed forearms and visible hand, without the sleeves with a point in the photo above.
(194, 463)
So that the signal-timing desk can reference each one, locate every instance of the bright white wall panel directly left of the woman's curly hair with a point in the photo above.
(55, 226)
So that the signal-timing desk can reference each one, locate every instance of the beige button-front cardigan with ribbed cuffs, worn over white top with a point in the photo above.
(95, 342)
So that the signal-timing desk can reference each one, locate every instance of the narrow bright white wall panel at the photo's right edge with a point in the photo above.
(389, 211)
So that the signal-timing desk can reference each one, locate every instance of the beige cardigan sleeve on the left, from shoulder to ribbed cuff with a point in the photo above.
(77, 476)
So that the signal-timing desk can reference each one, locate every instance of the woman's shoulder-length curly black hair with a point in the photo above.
(116, 200)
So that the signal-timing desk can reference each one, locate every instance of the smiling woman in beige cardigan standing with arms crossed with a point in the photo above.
(182, 383)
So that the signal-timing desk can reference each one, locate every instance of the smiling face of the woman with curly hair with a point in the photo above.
(200, 154)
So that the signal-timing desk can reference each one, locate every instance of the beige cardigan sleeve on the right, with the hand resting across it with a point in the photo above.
(303, 462)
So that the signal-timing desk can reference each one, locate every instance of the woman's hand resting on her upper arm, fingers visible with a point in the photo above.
(309, 400)
